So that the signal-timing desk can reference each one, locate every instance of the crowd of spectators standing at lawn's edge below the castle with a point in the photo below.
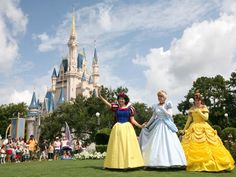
(19, 150)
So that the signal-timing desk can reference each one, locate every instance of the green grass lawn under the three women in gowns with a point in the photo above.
(90, 168)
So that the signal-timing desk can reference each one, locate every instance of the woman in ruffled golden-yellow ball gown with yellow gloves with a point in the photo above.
(203, 148)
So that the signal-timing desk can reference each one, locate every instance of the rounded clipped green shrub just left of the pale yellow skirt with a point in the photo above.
(102, 136)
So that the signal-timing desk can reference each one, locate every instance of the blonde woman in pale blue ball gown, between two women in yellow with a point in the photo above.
(159, 142)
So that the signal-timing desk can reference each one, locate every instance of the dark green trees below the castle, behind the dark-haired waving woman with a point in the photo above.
(81, 115)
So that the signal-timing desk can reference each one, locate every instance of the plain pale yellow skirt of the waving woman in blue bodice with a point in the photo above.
(123, 150)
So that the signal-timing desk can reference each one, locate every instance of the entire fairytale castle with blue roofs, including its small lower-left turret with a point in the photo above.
(72, 79)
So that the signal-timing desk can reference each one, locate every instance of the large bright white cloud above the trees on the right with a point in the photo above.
(206, 48)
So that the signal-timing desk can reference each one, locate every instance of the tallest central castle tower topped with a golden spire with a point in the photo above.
(72, 63)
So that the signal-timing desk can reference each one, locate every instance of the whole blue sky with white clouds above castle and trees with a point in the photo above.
(144, 45)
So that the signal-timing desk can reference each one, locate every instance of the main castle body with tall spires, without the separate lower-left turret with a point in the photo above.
(73, 77)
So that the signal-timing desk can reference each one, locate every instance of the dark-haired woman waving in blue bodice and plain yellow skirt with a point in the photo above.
(123, 150)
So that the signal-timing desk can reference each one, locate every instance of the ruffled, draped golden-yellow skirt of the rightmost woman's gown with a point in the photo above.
(204, 149)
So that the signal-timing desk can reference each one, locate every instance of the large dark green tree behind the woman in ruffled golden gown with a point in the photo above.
(214, 93)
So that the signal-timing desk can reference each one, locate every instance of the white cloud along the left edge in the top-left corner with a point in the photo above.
(12, 24)
